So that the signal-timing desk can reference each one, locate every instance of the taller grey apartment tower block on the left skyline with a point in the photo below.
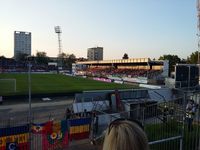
(22, 43)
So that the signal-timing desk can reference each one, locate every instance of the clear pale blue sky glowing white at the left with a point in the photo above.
(140, 28)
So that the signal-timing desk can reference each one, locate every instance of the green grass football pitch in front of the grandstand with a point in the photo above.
(51, 83)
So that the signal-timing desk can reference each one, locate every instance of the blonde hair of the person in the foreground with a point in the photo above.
(125, 135)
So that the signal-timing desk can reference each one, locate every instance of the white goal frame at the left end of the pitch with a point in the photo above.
(7, 85)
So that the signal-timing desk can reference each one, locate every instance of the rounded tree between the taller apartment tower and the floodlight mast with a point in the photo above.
(41, 58)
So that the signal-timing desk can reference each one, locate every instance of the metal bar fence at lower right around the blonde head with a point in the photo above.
(165, 124)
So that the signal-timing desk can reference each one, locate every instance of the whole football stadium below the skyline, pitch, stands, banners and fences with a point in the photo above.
(97, 90)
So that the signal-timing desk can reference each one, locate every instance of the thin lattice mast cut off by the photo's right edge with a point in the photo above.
(198, 26)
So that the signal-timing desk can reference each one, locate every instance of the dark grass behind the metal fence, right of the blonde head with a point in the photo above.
(162, 131)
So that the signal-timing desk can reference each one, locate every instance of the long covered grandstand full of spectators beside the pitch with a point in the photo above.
(140, 70)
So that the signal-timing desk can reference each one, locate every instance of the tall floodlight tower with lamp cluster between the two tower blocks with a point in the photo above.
(58, 31)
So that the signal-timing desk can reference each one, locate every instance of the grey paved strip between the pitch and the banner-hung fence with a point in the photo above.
(39, 109)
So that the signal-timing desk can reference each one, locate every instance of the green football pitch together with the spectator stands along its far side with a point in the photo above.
(85, 76)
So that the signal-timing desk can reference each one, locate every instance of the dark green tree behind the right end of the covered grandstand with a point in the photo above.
(173, 60)
